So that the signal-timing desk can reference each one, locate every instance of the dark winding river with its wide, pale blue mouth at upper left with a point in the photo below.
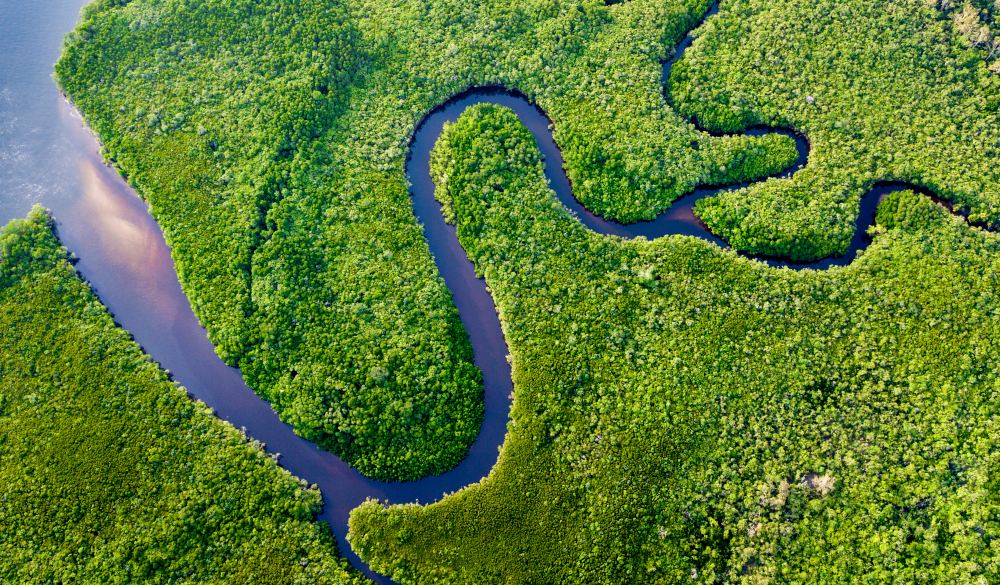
(49, 156)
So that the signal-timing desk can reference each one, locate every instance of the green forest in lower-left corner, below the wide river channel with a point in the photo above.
(109, 473)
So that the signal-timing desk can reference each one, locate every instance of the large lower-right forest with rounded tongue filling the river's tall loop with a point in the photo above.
(683, 414)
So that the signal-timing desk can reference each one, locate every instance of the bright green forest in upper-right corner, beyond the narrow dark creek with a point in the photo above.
(885, 90)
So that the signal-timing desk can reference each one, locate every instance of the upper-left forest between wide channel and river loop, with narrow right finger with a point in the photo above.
(269, 138)
